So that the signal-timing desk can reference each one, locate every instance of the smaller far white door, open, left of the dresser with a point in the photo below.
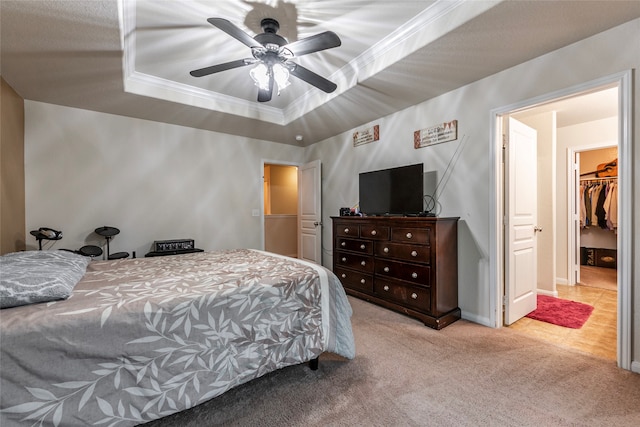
(310, 212)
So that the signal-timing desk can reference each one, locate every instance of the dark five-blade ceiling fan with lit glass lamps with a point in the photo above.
(272, 54)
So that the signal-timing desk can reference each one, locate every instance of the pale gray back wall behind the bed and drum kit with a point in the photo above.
(151, 180)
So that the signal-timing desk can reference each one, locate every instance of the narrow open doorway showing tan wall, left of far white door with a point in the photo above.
(281, 209)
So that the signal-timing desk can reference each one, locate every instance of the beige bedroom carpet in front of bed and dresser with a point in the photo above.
(406, 374)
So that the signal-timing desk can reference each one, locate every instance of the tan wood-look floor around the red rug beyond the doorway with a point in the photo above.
(598, 336)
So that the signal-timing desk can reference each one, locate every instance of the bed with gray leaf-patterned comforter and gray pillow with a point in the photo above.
(139, 339)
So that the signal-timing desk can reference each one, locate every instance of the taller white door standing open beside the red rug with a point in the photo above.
(520, 220)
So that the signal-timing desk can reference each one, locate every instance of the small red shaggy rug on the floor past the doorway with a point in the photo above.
(562, 312)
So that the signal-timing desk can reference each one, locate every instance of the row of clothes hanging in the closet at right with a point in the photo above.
(599, 204)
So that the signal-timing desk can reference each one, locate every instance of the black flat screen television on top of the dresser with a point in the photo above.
(395, 191)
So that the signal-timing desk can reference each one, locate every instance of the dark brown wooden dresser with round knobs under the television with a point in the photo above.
(406, 264)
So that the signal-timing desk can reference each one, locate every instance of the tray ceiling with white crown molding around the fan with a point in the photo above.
(133, 57)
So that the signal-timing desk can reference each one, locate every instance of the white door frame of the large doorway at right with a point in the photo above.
(623, 80)
